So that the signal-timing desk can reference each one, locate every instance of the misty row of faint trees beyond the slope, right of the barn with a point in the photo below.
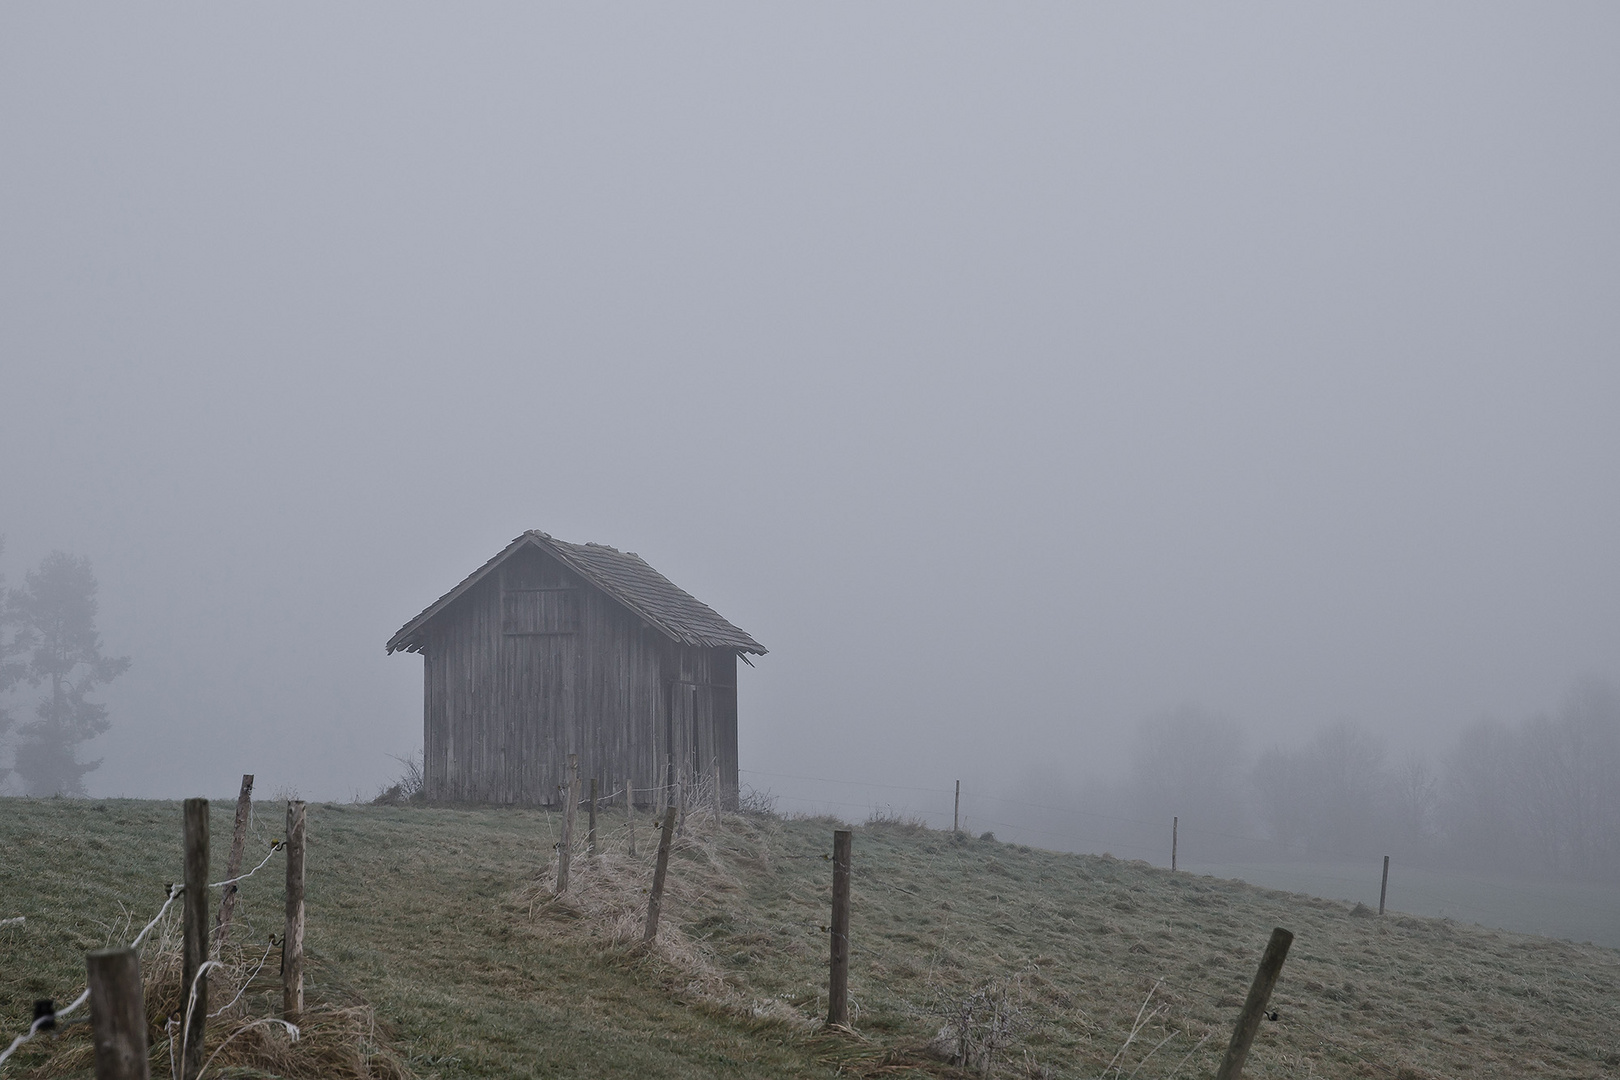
(1541, 796)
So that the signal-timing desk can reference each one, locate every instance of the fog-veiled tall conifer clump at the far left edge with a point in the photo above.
(51, 663)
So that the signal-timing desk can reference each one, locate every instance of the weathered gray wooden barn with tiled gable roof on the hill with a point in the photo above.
(555, 648)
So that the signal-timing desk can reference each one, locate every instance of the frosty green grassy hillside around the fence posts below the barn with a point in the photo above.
(438, 951)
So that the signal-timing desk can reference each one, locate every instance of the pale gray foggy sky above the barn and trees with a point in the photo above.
(1010, 372)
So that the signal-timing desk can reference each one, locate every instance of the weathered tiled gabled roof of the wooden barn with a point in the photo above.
(621, 576)
